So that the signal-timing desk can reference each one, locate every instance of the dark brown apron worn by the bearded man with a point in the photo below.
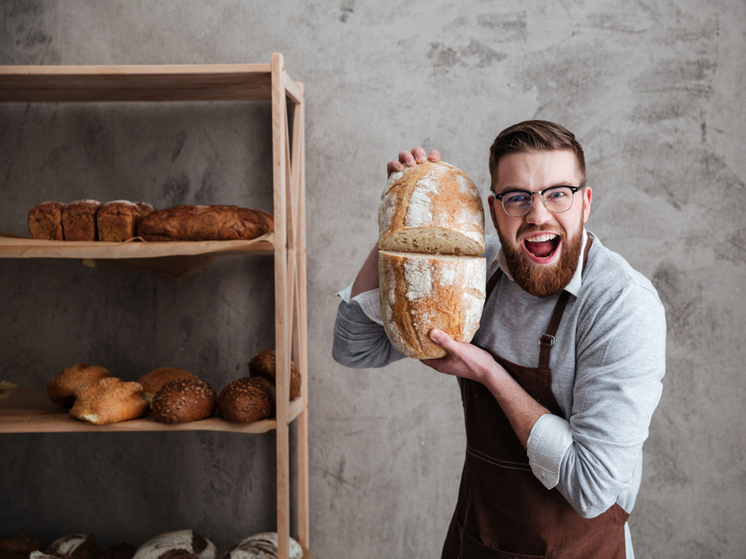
(503, 510)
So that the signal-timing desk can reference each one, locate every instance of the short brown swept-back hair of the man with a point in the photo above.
(535, 135)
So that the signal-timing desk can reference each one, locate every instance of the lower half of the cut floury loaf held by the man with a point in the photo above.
(420, 292)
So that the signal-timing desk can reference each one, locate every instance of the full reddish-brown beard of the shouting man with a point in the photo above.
(538, 280)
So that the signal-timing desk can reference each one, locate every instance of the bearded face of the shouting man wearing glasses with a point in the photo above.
(541, 247)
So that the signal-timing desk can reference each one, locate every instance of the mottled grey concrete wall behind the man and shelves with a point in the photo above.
(654, 91)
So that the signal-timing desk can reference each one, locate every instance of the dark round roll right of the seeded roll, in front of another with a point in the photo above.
(247, 399)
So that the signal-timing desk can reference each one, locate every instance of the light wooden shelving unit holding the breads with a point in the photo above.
(25, 411)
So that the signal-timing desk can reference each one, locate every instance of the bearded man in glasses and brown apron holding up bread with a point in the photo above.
(560, 381)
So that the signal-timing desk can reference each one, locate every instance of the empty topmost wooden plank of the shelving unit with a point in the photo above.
(181, 82)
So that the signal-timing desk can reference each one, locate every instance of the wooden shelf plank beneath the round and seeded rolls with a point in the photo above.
(31, 411)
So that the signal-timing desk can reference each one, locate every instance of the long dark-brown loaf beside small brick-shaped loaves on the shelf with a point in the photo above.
(205, 223)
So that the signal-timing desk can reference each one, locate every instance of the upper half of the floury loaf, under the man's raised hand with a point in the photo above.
(434, 208)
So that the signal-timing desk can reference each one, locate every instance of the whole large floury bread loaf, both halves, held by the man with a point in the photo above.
(431, 233)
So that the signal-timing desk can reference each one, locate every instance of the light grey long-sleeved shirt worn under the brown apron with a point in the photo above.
(607, 366)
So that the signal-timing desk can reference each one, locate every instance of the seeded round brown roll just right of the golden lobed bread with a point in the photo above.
(183, 400)
